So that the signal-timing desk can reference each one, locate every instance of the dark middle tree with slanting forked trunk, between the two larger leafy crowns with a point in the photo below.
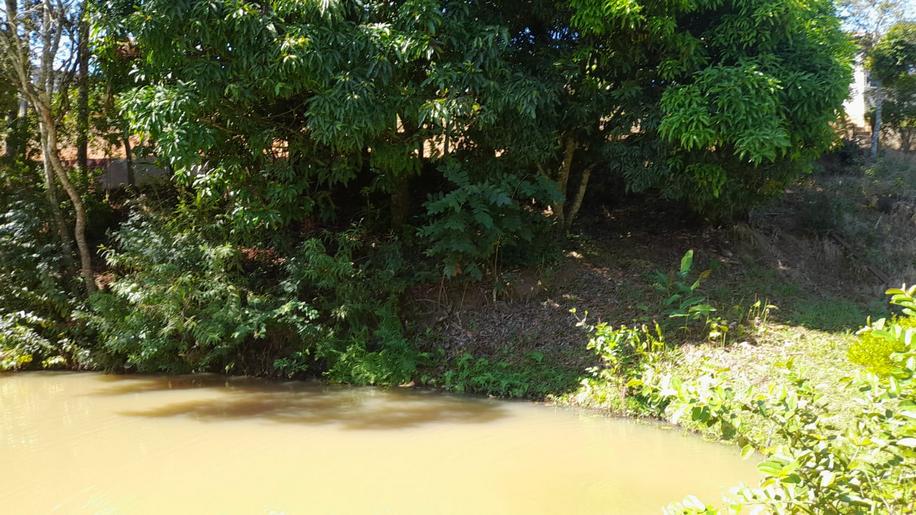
(587, 99)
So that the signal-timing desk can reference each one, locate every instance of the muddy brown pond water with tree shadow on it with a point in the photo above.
(91, 443)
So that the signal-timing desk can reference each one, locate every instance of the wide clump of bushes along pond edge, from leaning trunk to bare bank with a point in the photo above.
(181, 302)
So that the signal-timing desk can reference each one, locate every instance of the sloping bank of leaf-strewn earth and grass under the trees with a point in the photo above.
(795, 281)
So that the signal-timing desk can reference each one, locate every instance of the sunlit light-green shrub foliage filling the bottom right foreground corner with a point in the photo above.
(811, 464)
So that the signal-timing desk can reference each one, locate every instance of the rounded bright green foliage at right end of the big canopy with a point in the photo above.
(744, 92)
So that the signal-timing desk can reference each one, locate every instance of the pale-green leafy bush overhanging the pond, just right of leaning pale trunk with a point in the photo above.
(179, 304)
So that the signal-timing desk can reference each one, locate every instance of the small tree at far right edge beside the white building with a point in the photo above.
(893, 62)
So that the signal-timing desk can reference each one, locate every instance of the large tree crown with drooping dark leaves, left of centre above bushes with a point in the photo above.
(290, 104)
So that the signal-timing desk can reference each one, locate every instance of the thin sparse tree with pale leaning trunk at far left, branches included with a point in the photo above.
(37, 54)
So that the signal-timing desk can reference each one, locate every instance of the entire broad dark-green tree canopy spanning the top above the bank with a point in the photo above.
(273, 109)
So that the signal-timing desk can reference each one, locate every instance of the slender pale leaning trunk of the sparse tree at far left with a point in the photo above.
(49, 145)
